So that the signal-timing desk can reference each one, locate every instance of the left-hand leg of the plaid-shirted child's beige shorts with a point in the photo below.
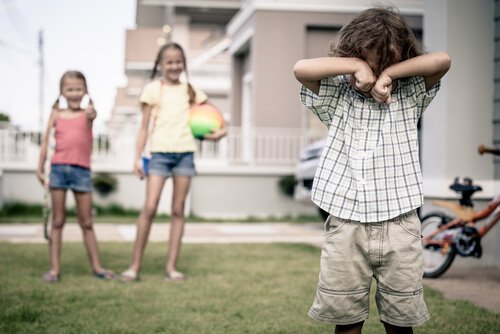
(342, 295)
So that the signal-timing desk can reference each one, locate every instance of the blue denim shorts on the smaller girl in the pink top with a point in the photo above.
(71, 177)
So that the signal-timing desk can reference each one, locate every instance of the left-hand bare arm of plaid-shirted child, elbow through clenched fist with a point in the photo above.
(309, 72)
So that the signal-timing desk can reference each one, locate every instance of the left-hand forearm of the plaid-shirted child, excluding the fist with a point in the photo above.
(316, 69)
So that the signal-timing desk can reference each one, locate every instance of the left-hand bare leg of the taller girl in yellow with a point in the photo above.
(154, 188)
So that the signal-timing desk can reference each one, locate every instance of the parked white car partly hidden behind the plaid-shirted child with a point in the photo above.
(305, 170)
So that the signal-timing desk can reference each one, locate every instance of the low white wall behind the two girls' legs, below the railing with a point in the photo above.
(231, 193)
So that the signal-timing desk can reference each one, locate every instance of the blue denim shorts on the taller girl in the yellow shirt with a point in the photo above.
(168, 164)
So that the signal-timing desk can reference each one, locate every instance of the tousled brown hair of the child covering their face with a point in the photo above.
(382, 30)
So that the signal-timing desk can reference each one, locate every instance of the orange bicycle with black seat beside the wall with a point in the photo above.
(445, 236)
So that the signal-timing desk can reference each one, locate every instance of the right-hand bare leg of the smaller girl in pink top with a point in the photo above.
(84, 211)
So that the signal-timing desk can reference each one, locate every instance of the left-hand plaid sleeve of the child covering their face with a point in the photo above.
(323, 104)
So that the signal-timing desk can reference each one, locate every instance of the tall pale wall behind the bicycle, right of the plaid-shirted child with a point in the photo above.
(460, 118)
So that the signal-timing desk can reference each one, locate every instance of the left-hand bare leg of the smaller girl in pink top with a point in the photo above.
(58, 198)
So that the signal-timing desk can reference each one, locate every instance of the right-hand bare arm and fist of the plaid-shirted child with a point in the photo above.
(431, 66)
